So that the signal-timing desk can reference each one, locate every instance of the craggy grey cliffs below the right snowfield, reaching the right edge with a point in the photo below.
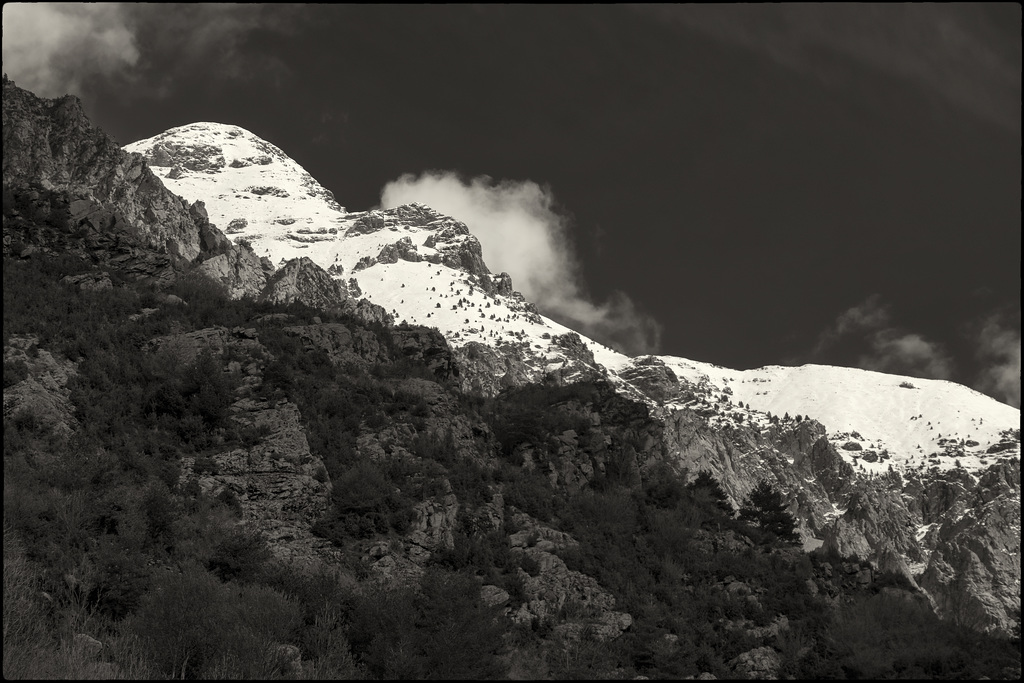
(951, 533)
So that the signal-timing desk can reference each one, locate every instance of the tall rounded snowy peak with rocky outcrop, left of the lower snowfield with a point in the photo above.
(420, 266)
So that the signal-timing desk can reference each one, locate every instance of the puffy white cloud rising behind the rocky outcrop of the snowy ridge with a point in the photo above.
(522, 234)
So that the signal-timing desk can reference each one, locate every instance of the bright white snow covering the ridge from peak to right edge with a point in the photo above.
(930, 423)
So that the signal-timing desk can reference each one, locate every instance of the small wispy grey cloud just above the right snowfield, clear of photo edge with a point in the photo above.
(884, 347)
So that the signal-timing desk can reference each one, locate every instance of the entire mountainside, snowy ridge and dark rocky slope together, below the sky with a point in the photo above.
(339, 434)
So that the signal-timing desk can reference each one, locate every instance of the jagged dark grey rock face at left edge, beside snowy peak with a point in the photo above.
(86, 195)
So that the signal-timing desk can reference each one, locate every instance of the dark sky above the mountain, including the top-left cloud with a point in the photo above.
(760, 184)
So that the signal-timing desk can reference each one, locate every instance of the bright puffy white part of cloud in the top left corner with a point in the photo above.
(53, 50)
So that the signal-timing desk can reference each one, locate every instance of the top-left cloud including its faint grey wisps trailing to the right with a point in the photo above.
(59, 49)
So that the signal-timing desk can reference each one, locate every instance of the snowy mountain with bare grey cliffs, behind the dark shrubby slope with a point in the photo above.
(428, 269)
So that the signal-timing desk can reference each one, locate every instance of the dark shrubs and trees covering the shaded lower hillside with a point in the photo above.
(104, 540)
